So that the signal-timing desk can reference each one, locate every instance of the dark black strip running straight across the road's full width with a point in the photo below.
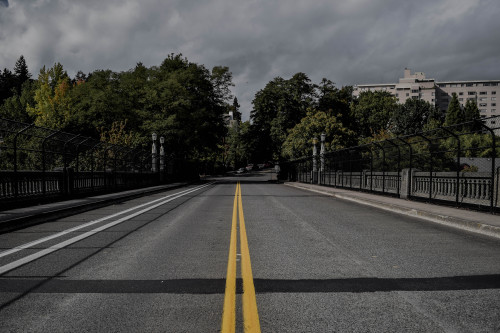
(217, 286)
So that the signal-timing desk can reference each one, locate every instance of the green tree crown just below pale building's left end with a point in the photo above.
(373, 112)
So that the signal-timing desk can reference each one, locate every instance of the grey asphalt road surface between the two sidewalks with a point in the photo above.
(319, 264)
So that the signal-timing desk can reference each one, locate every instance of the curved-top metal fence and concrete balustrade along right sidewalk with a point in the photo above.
(456, 165)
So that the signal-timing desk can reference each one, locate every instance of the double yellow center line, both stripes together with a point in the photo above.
(250, 313)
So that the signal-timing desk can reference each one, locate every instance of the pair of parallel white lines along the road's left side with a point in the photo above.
(39, 254)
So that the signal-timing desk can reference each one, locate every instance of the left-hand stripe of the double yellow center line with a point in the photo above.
(229, 314)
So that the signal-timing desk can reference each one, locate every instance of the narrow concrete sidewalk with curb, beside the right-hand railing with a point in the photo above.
(478, 222)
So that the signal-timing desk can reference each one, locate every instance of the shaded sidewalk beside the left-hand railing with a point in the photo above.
(23, 217)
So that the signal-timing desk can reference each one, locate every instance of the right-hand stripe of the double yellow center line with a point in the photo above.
(250, 313)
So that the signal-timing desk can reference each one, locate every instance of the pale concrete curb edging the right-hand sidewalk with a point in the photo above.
(464, 224)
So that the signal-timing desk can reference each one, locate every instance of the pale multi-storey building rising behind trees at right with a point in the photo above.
(417, 86)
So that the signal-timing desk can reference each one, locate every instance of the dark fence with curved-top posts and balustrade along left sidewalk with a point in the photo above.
(39, 164)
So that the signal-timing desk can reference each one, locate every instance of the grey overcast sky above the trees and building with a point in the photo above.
(346, 41)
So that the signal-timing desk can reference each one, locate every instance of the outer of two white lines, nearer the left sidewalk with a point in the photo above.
(62, 233)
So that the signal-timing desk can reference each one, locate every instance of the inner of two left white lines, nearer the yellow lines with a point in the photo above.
(39, 254)
